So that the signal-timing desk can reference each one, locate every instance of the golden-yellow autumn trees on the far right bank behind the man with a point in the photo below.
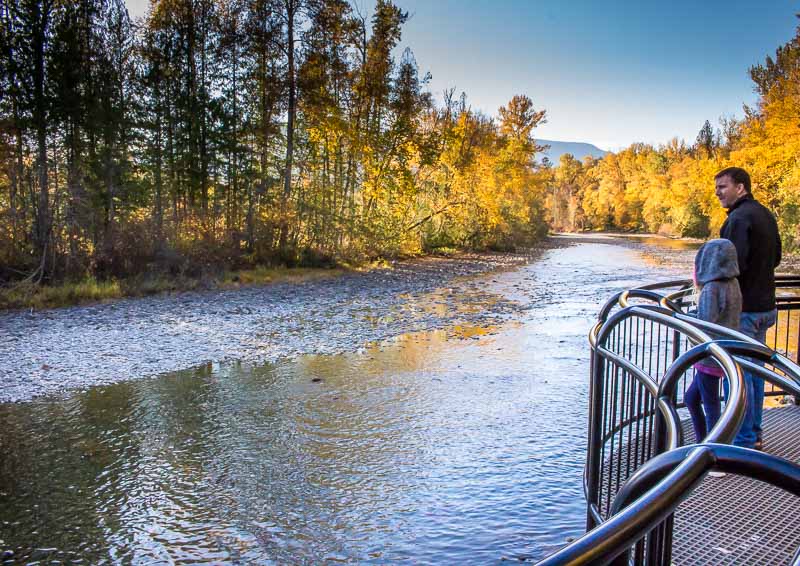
(670, 189)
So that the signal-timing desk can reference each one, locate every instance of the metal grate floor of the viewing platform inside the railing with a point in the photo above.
(736, 520)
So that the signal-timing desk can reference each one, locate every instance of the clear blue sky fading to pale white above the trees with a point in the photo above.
(608, 72)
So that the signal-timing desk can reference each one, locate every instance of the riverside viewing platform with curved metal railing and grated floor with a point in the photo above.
(650, 497)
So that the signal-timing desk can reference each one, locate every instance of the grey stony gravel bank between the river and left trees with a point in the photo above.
(51, 351)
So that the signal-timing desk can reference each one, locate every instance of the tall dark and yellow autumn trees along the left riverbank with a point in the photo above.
(218, 135)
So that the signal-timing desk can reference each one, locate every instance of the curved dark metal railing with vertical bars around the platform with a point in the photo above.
(638, 470)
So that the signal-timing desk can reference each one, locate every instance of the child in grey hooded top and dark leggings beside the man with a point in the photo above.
(720, 302)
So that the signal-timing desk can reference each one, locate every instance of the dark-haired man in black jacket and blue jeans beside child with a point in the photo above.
(754, 232)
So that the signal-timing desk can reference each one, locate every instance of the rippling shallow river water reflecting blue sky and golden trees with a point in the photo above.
(462, 444)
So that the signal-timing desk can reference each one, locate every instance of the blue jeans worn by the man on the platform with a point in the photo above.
(755, 325)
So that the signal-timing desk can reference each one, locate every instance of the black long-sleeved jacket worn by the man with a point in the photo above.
(753, 230)
